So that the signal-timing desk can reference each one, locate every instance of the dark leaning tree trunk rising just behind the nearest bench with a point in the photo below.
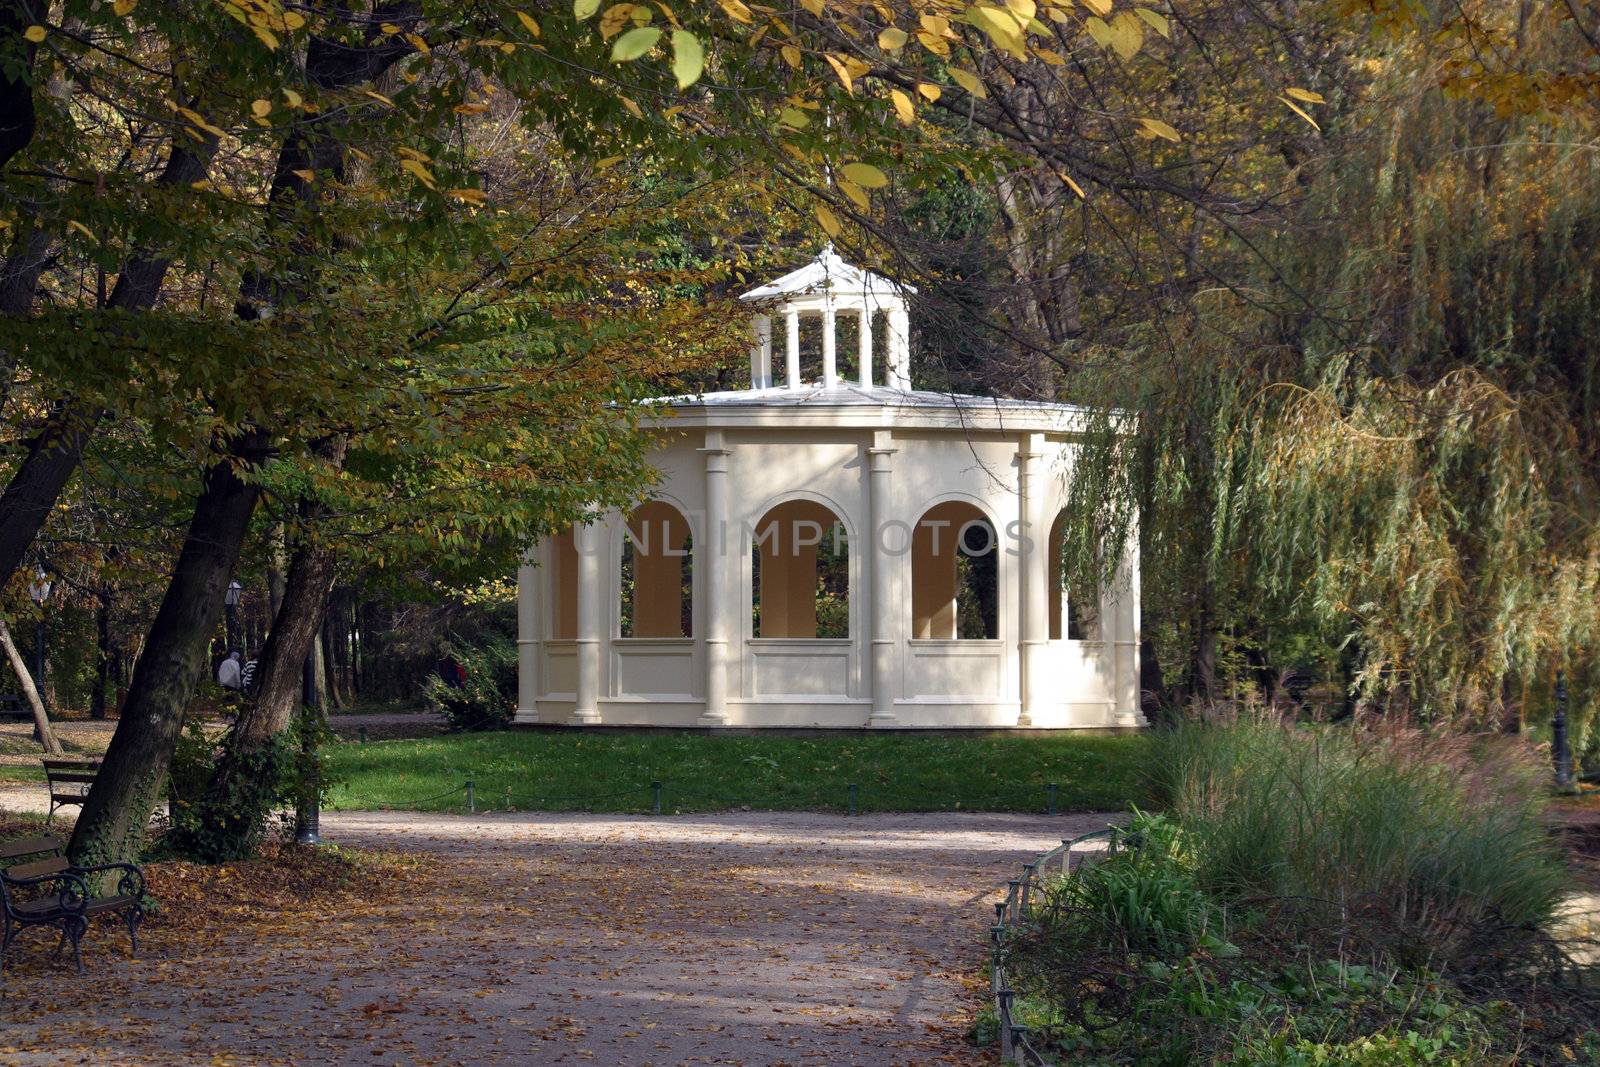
(118, 810)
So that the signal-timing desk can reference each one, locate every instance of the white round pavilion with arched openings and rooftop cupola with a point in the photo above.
(836, 549)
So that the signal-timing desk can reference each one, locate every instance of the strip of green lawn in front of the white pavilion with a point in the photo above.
(572, 772)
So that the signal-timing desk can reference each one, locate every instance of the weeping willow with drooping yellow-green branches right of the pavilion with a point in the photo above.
(1378, 454)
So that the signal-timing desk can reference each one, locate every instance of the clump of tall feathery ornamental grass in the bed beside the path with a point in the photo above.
(1423, 850)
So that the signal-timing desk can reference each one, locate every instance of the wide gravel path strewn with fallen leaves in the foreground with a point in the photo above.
(742, 938)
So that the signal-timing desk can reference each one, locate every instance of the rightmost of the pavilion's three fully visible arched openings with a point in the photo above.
(954, 575)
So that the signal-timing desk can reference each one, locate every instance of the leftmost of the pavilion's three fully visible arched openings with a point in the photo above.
(658, 573)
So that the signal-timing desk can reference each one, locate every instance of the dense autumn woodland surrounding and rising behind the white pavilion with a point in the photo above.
(337, 302)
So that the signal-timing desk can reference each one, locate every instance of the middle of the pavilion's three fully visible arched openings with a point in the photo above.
(801, 573)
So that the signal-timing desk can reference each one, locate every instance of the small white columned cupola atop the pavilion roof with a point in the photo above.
(828, 287)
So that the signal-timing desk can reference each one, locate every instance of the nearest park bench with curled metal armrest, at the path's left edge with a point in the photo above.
(50, 892)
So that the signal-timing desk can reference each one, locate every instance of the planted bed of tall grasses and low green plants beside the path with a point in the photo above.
(1311, 898)
